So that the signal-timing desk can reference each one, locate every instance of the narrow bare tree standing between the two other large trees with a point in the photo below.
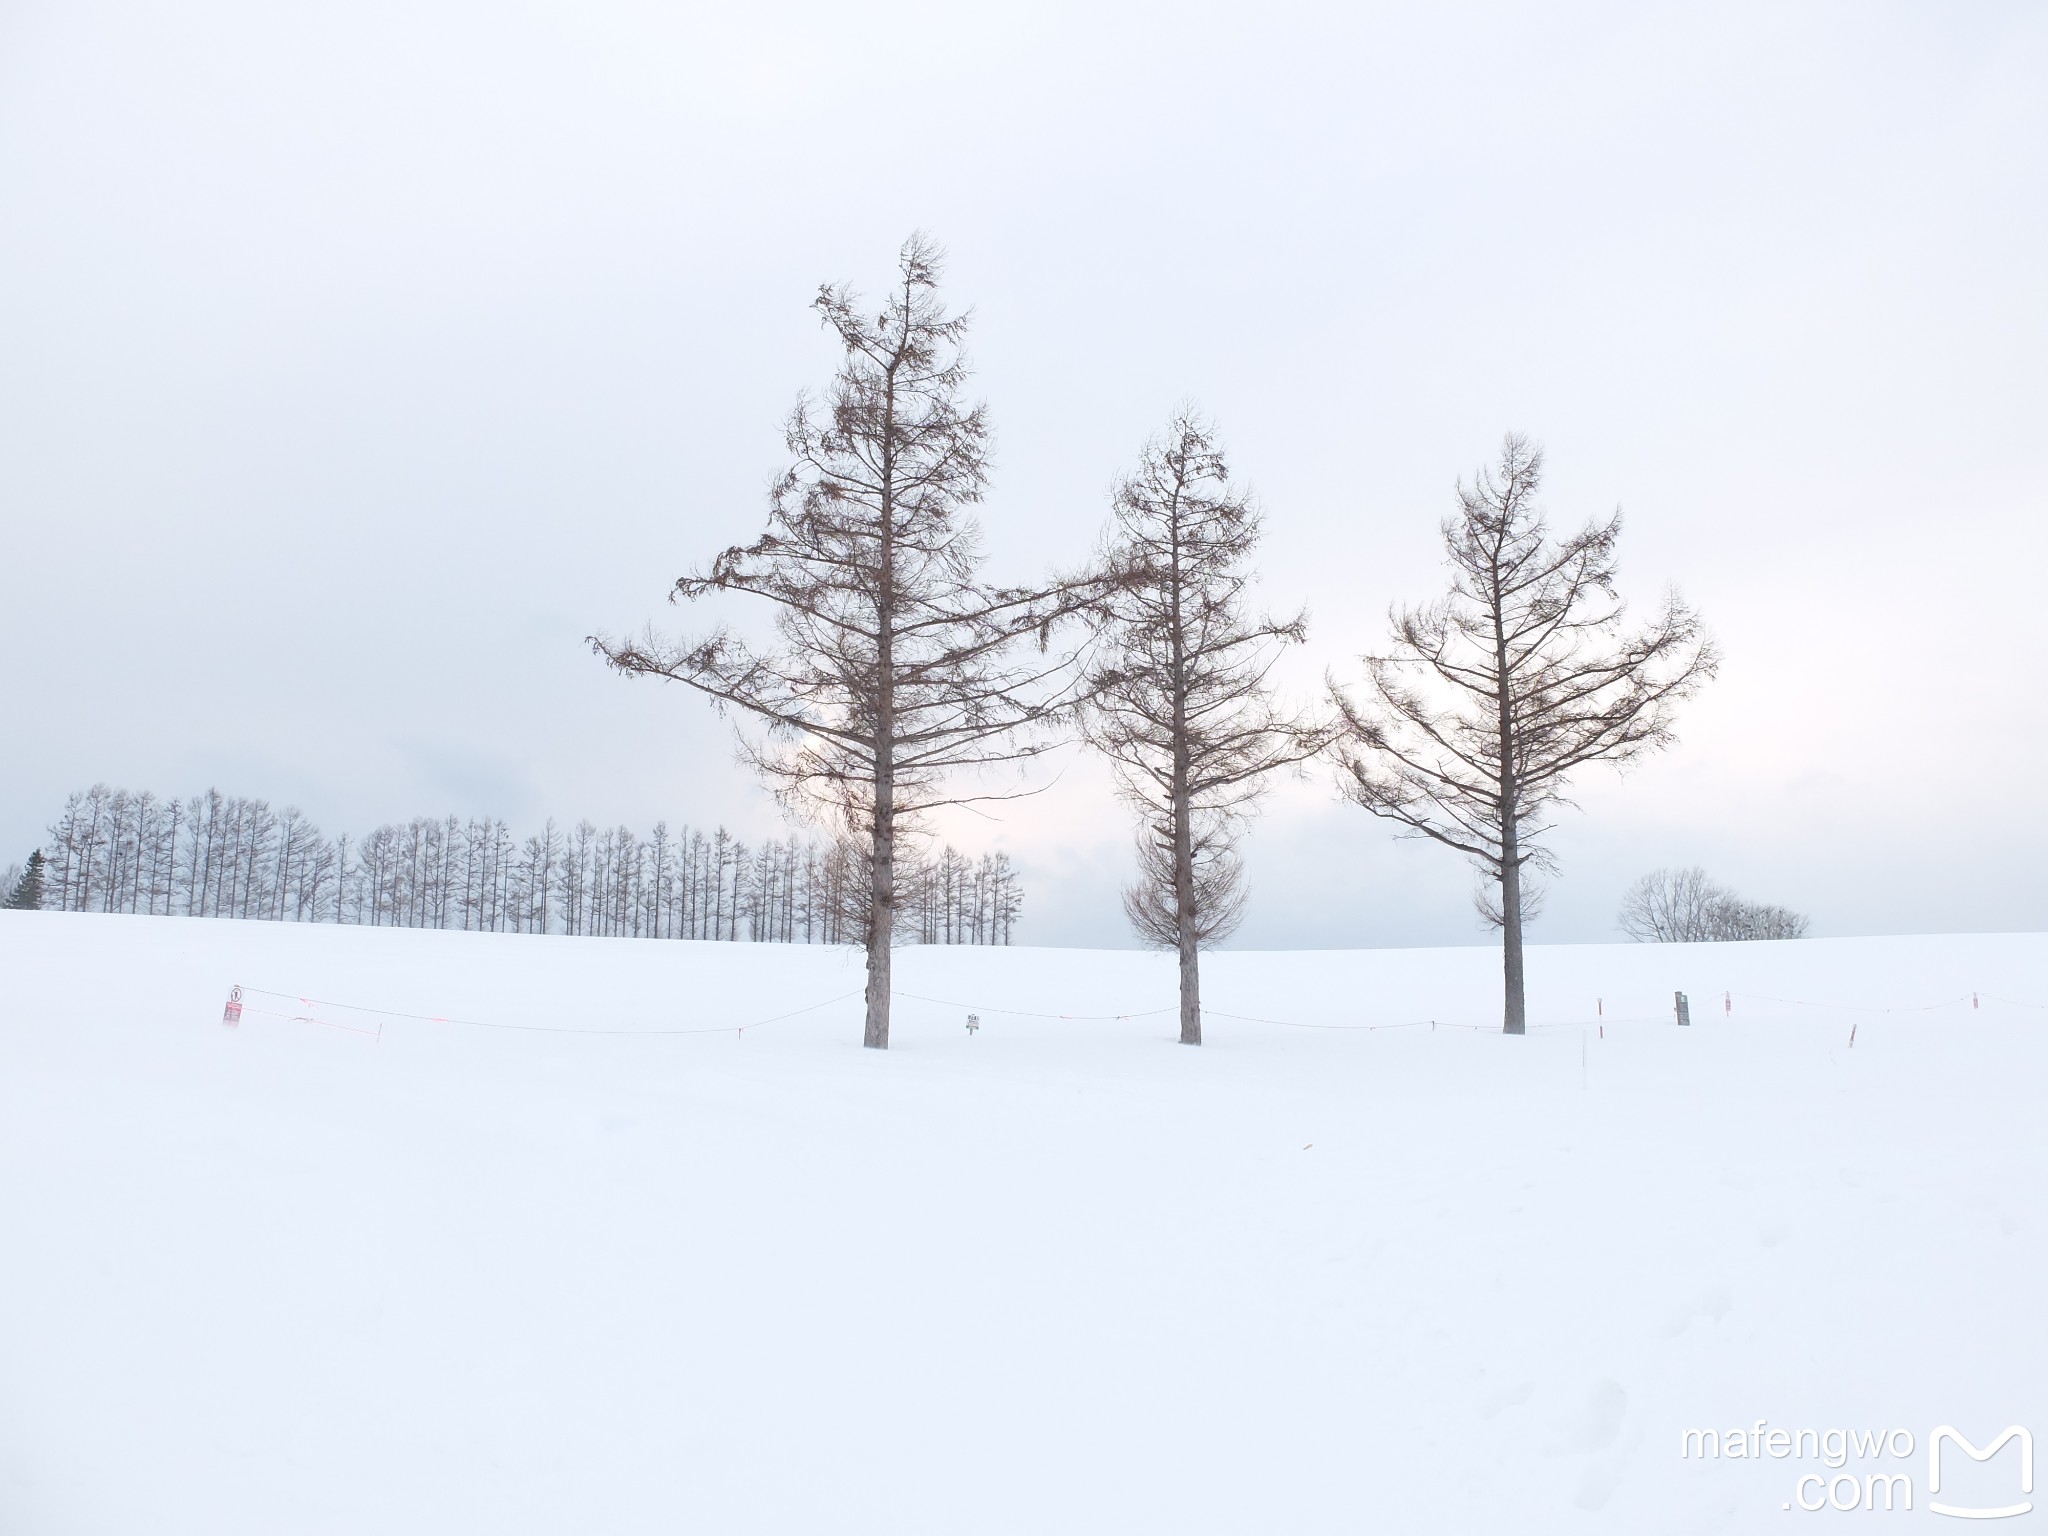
(1183, 701)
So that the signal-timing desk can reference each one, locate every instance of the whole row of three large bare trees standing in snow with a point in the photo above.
(902, 681)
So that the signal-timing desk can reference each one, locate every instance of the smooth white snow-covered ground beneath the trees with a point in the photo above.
(1056, 1277)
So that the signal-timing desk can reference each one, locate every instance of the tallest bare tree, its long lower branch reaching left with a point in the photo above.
(900, 669)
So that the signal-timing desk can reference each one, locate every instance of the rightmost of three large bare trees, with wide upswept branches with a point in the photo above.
(1496, 695)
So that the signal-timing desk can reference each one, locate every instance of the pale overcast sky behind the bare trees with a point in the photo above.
(361, 359)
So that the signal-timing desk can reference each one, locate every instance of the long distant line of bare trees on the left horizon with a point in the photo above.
(232, 857)
